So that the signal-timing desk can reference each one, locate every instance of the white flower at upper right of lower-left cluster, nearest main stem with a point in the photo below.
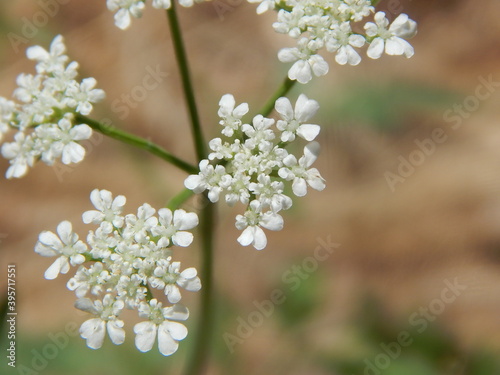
(172, 228)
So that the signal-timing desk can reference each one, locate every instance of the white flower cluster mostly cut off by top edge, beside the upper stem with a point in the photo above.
(126, 9)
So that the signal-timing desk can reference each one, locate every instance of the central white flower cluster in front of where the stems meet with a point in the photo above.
(252, 166)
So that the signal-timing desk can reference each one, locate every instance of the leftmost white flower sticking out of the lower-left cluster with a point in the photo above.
(67, 247)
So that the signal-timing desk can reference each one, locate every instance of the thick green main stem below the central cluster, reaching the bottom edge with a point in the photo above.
(197, 363)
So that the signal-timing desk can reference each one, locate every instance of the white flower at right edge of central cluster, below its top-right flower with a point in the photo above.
(300, 172)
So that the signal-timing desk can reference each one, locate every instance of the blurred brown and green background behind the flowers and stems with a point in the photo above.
(398, 249)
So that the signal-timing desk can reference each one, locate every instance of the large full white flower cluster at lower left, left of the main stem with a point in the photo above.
(123, 261)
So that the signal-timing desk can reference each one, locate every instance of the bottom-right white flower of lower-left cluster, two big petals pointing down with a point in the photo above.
(160, 324)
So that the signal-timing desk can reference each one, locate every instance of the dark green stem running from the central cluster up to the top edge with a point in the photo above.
(182, 62)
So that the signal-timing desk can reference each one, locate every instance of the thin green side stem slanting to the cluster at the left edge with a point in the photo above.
(136, 141)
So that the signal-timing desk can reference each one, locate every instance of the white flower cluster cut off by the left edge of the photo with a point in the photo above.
(44, 118)
